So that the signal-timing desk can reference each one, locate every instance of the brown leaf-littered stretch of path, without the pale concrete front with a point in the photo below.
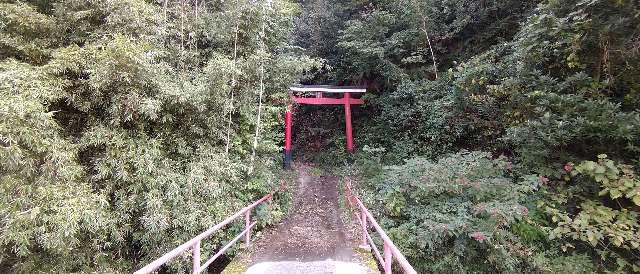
(313, 231)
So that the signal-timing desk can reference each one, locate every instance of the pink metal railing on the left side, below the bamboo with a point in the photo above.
(194, 244)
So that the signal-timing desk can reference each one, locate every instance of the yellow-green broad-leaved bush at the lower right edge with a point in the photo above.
(594, 209)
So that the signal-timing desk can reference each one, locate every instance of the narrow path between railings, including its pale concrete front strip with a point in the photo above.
(312, 239)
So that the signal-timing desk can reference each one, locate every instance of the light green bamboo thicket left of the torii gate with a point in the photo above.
(127, 127)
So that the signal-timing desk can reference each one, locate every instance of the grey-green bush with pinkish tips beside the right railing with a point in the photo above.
(455, 214)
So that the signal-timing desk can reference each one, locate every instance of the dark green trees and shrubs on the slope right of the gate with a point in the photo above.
(542, 83)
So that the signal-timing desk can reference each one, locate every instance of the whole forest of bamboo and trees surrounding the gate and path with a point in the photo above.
(495, 136)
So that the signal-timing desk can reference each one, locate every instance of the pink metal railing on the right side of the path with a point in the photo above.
(390, 251)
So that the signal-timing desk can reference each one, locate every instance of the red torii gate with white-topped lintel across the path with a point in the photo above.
(297, 94)
